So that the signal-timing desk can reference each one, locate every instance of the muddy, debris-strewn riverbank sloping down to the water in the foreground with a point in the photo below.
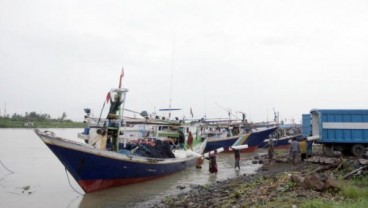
(271, 186)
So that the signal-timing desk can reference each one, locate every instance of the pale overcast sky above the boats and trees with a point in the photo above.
(250, 56)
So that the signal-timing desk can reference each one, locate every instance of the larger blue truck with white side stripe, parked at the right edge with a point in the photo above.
(344, 130)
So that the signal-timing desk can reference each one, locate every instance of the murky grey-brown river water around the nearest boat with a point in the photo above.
(40, 180)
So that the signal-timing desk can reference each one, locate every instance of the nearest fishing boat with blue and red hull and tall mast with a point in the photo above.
(103, 163)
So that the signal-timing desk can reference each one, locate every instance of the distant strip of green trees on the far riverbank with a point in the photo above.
(34, 120)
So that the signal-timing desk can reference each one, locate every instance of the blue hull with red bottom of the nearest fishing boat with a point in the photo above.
(95, 169)
